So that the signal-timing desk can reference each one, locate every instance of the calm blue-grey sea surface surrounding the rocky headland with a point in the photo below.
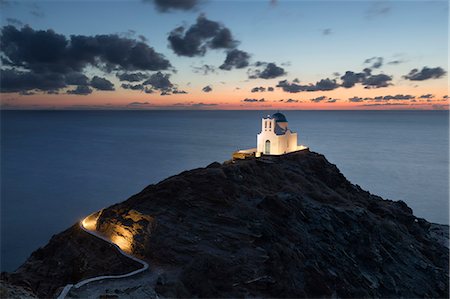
(58, 166)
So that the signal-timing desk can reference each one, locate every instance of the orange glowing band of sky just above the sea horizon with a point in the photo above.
(224, 98)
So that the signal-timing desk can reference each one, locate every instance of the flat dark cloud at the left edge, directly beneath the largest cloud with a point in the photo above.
(12, 80)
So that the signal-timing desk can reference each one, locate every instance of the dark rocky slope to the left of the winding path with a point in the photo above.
(69, 257)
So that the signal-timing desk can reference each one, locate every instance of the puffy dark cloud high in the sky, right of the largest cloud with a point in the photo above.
(202, 35)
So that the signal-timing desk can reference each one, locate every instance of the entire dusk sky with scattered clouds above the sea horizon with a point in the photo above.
(209, 54)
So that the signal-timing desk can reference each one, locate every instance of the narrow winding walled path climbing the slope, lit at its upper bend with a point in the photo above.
(68, 287)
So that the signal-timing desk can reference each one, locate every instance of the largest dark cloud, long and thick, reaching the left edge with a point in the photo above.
(47, 51)
